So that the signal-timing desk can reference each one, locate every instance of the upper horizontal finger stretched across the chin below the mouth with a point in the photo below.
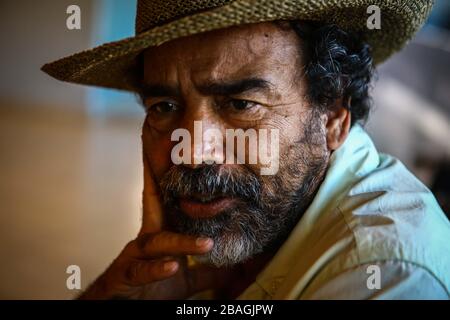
(173, 244)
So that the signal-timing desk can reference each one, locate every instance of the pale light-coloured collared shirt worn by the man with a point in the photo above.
(373, 231)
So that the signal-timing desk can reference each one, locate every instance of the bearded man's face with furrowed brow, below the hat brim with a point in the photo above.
(246, 77)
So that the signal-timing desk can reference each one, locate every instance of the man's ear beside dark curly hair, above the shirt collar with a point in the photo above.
(338, 124)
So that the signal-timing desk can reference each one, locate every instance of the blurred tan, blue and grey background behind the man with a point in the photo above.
(70, 161)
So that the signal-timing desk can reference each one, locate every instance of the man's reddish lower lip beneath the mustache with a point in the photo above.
(197, 209)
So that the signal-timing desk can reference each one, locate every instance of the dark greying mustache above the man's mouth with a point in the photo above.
(210, 180)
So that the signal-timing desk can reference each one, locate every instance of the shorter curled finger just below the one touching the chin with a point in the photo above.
(142, 272)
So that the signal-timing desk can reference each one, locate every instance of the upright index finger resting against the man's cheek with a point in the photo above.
(152, 215)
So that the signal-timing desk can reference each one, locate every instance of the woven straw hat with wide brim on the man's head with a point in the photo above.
(114, 65)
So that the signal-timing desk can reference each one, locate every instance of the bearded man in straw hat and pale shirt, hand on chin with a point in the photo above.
(335, 220)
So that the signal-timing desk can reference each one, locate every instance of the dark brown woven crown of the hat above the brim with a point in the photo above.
(152, 13)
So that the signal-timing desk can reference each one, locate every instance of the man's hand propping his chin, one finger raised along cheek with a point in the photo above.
(154, 265)
